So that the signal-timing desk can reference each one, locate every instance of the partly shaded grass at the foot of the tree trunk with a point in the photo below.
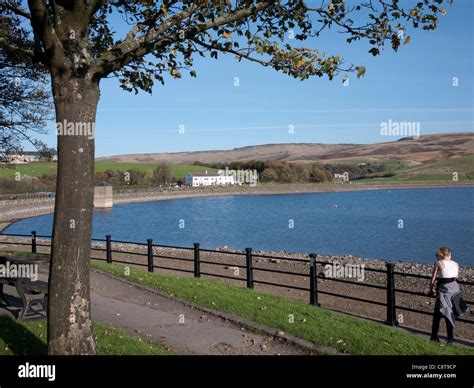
(29, 338)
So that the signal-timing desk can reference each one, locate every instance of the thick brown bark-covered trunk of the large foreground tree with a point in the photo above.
(69, 317)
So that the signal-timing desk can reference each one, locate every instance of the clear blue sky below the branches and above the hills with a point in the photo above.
(412, 85)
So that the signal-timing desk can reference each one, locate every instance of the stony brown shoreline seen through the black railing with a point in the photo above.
(293, 277)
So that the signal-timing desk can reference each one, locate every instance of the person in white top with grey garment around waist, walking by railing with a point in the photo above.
(446, 289)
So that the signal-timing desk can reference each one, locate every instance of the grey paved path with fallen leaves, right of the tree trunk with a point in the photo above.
(183, 329)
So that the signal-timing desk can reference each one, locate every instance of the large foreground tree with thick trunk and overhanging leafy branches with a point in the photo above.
(76, 41)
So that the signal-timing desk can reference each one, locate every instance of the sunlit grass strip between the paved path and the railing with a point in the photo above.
(320, 326)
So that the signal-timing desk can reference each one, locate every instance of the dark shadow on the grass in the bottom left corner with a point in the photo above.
(19, 339)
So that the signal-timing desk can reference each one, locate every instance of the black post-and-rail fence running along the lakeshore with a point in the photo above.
(249, 257)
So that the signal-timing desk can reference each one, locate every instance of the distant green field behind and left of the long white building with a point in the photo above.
(39, 169)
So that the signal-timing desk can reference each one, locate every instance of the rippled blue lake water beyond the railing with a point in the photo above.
(407, 224)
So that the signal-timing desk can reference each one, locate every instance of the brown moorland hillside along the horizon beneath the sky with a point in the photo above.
(429, 148)
